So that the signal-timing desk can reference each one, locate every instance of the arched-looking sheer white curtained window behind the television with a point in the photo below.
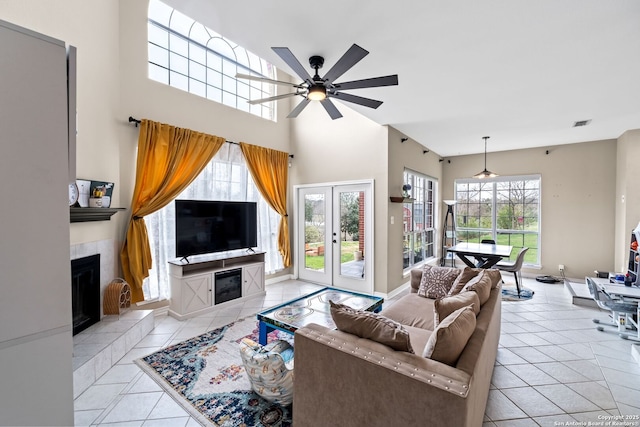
(225, 178)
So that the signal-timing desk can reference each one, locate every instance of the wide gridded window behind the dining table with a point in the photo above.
(505, 209)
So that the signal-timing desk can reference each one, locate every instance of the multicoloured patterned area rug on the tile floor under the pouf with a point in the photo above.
(205, 375)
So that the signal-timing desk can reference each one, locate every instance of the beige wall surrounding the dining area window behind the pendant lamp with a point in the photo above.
(578, 188)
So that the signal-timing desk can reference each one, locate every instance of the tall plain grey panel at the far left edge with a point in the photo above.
(35, 307)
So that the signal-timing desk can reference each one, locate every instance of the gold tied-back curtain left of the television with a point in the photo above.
(169, 159)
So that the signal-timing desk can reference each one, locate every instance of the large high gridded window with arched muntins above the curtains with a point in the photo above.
(187, 55)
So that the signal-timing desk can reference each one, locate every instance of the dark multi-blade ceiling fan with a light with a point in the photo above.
(322, 89)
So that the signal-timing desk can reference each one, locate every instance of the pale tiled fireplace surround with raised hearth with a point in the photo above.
(99, 347)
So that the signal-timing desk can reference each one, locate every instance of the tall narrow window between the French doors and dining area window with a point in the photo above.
(418, 219)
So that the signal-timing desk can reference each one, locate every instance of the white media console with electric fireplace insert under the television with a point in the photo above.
(204, 283)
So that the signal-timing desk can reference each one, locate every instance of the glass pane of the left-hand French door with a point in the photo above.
(314, 229)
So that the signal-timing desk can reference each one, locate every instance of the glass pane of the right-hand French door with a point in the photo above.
(351, 236)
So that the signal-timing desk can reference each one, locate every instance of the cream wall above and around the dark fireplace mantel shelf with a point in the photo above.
(91, 26)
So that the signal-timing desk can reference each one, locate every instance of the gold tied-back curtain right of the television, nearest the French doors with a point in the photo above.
(269, 169)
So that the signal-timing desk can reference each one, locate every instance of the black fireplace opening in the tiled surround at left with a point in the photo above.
(85, 292)
